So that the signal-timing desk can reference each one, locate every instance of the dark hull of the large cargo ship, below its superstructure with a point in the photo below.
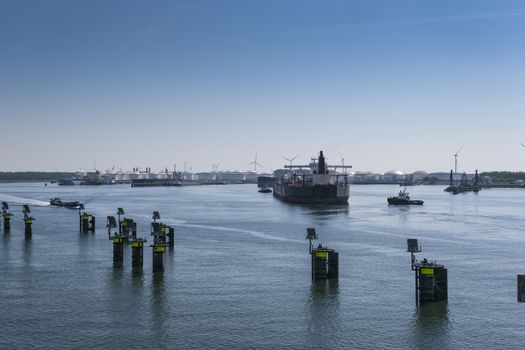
(317, 194)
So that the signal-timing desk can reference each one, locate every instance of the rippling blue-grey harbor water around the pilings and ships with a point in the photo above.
(239, 277)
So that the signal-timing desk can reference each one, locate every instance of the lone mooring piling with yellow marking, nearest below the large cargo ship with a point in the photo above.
(325, 262)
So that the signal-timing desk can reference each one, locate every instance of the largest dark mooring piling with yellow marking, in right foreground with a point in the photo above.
(431, 280)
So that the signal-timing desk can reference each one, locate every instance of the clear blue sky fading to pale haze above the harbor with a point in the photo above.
(381, 84)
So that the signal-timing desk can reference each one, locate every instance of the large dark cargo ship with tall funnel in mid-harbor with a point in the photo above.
(317, 185)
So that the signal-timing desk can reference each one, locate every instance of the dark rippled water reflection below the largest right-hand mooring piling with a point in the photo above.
(430, 326)
